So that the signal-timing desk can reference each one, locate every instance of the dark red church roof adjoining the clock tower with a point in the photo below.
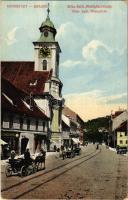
(22, 75)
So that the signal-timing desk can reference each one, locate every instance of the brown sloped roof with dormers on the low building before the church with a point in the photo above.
(13, 99)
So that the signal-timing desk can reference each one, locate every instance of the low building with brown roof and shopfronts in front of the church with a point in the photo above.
(23, 125)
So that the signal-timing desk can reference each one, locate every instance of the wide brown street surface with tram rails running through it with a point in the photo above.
(95, 174)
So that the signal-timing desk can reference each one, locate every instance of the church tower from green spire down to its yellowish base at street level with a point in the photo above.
(47, 52)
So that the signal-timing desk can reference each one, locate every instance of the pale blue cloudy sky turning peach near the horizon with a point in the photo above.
(93, 39)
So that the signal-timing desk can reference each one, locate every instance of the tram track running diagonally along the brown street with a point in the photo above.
(32, 183)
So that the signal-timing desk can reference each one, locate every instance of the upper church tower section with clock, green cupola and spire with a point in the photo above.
(47, 50)
